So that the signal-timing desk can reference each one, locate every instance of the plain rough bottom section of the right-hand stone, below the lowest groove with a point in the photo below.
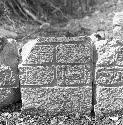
(109, 99)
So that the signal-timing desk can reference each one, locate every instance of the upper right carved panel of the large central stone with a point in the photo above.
(73, 53)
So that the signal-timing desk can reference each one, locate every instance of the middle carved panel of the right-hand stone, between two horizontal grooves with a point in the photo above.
(109, 76)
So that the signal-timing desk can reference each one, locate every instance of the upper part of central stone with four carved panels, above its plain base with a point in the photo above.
(58, 61)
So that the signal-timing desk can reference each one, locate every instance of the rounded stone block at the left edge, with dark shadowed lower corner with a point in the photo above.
(9, 78)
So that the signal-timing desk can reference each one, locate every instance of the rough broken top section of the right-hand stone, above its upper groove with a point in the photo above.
(110, 54)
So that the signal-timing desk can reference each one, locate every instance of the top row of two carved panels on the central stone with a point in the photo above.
(64, 53)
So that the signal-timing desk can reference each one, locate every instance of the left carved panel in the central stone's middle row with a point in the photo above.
(37, 75)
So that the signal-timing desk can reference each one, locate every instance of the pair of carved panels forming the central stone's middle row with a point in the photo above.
(66, 75)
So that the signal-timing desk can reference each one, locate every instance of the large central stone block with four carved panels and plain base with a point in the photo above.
(58, 74)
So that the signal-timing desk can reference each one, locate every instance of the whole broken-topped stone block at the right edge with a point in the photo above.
(109, 79)
